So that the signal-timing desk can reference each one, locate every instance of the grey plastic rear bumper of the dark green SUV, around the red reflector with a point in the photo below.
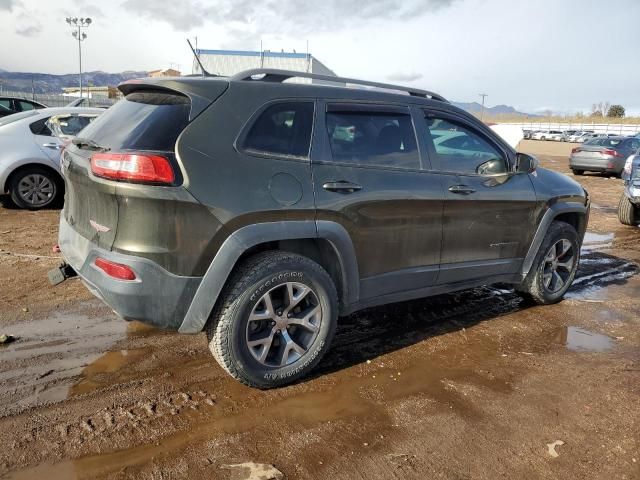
(156, 297)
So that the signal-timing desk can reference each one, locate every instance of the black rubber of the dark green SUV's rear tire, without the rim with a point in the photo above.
(228, 327)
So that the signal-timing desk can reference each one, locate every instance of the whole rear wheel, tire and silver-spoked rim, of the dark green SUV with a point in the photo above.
(275, 319)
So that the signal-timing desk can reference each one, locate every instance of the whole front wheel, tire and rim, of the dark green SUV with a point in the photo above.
(554, 267)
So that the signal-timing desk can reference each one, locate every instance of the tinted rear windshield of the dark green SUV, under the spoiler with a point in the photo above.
(143, 120)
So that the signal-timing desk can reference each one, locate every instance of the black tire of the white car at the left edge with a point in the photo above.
(49, 195)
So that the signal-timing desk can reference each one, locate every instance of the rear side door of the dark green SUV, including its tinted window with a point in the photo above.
(368, 178)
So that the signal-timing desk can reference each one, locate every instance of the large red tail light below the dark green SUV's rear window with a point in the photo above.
(133, 167)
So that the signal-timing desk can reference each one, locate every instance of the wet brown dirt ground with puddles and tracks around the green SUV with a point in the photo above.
(469, 385)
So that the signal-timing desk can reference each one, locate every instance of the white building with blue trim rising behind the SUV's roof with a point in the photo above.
(230, 62)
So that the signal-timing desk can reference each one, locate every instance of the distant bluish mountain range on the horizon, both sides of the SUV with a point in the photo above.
(49, 83)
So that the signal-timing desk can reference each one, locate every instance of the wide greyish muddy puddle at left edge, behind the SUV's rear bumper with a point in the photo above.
(49, 354)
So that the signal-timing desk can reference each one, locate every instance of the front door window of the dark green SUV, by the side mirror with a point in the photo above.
(461, 150)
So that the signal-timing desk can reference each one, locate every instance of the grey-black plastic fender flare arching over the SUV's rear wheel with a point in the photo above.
(249, 236)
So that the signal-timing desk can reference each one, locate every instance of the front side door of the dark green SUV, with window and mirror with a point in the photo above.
(488, 216)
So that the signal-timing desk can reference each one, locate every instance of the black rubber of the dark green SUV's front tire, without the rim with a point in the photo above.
(534, 287)
